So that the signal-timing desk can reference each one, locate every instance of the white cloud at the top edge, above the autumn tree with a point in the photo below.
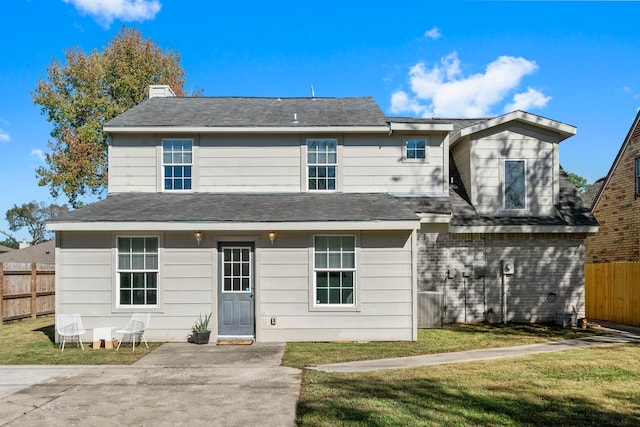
(106, 11)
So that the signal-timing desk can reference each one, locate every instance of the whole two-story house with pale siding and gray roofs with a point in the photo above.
(315, 219)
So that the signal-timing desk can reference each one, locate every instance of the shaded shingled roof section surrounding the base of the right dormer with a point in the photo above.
(571, 210)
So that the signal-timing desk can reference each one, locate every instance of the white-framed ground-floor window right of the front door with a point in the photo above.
(334, 270)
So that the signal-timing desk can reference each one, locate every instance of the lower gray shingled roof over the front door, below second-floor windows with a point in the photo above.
(227, 207)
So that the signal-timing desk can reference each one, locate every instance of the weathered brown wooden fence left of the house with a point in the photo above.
(27, 290)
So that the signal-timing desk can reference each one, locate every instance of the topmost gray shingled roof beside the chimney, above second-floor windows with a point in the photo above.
(252, 112)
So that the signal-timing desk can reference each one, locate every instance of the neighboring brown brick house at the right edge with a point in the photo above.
(617, 206)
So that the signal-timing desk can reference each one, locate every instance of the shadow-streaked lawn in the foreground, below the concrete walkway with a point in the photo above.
(598, 386)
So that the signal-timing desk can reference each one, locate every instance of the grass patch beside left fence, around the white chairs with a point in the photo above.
(31, 342)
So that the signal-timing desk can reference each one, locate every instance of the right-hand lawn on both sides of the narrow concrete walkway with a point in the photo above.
(598, 386)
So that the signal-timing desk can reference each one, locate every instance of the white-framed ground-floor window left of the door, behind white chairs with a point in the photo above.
(137, 271)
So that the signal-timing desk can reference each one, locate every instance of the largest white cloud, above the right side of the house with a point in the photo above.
(444, 91)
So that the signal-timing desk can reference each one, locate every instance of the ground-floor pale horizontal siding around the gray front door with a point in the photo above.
(188, 286)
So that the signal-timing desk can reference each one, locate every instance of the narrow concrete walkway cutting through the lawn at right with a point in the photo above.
(620, 336)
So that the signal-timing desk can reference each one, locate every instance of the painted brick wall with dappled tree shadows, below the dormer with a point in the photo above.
(548, 278)
